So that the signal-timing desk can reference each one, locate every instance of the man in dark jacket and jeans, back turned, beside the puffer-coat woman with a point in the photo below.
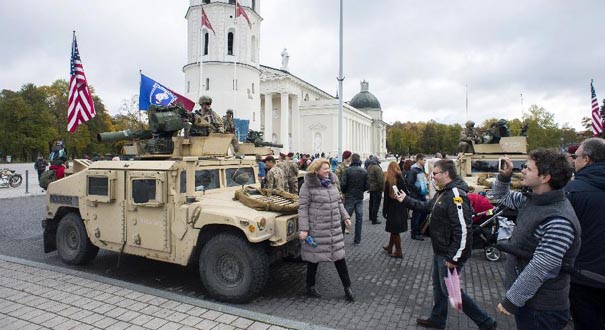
(354, 183)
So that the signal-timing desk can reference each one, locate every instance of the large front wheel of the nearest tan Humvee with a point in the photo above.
(233, 270)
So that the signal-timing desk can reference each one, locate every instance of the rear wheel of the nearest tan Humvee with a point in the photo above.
(73, 244)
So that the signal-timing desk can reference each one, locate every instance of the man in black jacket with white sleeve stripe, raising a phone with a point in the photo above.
(451, 237)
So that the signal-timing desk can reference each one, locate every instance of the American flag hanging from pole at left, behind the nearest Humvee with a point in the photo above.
(80, 107)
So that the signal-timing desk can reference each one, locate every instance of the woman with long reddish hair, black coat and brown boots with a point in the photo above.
(396, 213)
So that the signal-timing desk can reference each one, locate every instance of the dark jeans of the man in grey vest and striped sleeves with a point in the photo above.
(528, 318)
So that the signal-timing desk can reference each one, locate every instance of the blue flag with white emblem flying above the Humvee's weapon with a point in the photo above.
(152, 92)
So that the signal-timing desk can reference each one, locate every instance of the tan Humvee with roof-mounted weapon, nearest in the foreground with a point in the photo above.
(174, 203)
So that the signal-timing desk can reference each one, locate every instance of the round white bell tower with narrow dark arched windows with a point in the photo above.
(230, 70)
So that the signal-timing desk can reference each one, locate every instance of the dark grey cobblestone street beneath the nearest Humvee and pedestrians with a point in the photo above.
(390, 293)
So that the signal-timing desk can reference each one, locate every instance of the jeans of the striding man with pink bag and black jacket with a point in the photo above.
(440, 297)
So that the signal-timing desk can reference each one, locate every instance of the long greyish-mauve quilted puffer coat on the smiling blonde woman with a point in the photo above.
(321, 212)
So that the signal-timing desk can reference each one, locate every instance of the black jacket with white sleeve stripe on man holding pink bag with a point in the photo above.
(450, 220)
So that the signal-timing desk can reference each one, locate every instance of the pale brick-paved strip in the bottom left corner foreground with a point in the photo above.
(39, 296)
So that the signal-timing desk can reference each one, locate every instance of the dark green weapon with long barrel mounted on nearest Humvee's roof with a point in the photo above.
(164, 123)
